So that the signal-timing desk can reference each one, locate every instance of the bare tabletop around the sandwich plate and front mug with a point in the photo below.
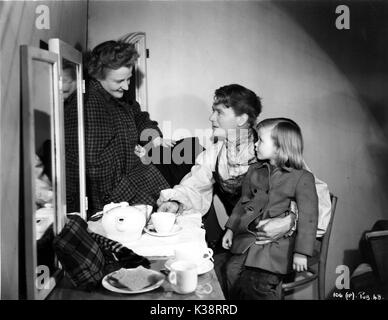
(208, 289)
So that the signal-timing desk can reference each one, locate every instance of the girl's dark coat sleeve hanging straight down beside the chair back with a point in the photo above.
(307, 202)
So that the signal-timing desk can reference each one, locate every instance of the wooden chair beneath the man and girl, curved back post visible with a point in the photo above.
(320, 264)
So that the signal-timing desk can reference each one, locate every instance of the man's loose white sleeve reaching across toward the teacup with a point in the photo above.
(195, 191)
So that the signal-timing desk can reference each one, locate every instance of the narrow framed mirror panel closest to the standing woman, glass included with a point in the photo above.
(71, 102)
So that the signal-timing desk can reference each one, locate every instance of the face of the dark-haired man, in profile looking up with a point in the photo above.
(223, 119)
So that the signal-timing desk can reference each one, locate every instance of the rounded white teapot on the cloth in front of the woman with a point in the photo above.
(124, 223)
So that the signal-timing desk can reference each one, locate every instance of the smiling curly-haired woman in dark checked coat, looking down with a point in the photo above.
(113, 126)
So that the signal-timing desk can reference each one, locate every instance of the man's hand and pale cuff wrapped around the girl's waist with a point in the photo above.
(275, 228)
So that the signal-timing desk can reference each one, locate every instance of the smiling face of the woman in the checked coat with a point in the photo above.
(116, 81)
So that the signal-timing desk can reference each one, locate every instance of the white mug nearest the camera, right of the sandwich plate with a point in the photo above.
(183, 276)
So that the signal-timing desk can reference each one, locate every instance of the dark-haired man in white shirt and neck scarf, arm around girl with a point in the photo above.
(221, 168)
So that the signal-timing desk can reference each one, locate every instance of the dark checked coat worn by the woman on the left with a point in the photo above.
(113, 172)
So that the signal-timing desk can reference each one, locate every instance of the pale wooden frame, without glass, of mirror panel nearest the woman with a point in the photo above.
(65, 51)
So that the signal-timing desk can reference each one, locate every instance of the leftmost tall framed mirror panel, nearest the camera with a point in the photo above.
(43, 174)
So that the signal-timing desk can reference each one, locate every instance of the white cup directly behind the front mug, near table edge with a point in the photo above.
(193, 252)
